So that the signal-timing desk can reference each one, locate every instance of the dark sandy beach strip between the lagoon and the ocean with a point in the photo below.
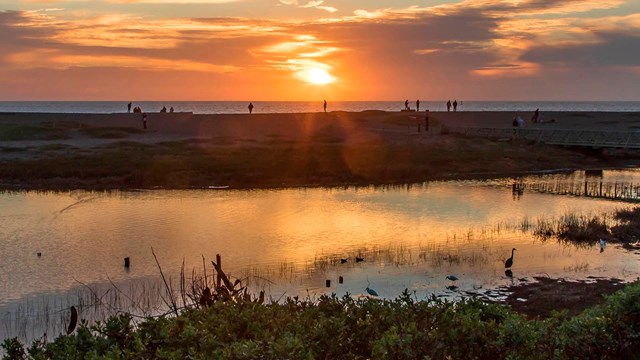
(184, 150)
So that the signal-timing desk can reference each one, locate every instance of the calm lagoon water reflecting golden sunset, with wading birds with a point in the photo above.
(289, 242)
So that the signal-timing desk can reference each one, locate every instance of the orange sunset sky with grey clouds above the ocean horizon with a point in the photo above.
(290, 50)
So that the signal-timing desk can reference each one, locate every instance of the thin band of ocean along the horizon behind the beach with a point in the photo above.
(240, 107)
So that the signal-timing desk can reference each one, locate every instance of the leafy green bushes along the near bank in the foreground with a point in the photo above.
(347, 328)
